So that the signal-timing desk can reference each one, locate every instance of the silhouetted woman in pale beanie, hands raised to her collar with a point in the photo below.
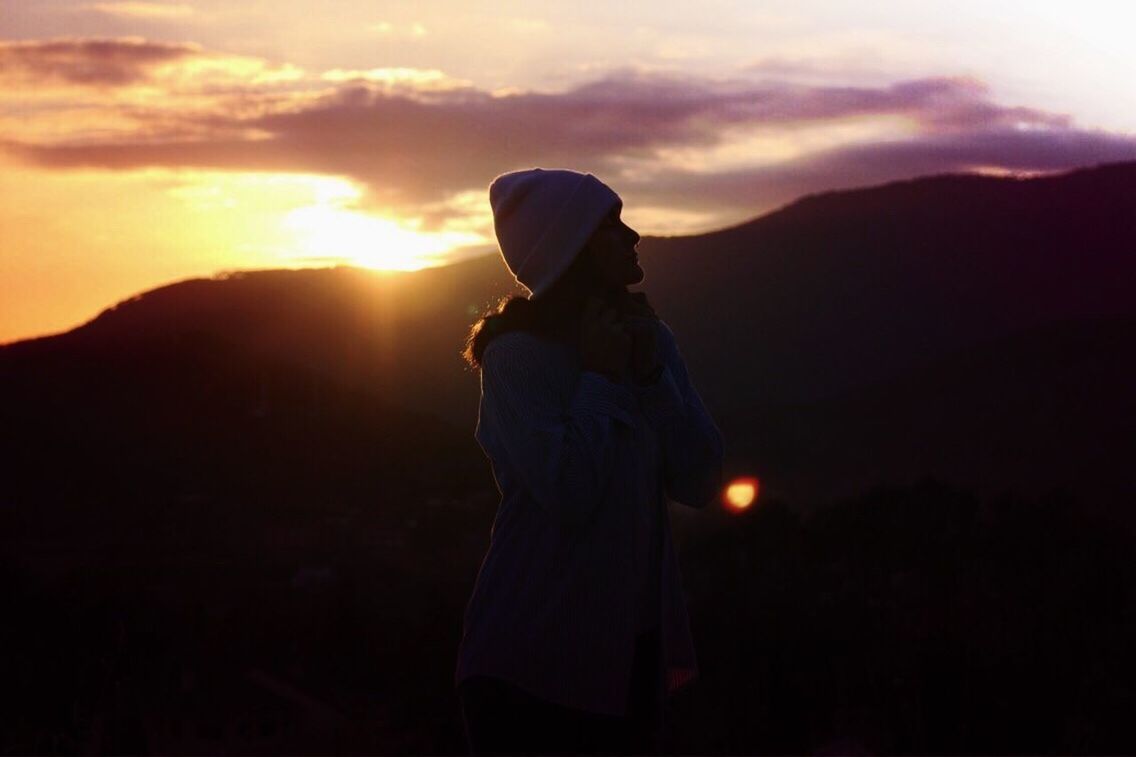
(578, 628)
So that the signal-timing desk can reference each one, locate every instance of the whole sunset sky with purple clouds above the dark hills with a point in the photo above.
(149, 142)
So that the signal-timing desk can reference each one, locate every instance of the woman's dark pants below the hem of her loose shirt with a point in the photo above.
(502, 719)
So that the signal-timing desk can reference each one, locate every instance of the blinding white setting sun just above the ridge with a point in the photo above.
(333, 230)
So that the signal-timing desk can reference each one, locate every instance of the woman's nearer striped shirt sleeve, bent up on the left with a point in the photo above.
(565, 456)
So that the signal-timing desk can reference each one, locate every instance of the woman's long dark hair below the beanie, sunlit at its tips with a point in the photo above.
(555, 314)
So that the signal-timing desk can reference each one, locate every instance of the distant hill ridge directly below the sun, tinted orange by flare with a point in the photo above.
(396, 336)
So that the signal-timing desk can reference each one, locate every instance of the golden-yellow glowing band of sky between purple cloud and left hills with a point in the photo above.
(74, 243)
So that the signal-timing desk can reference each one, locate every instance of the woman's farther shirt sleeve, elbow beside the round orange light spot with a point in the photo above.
(694, 447)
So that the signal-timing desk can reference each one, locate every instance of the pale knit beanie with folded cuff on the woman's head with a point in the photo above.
(544, 218)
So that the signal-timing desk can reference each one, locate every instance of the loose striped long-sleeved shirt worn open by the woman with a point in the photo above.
(586, 467)
